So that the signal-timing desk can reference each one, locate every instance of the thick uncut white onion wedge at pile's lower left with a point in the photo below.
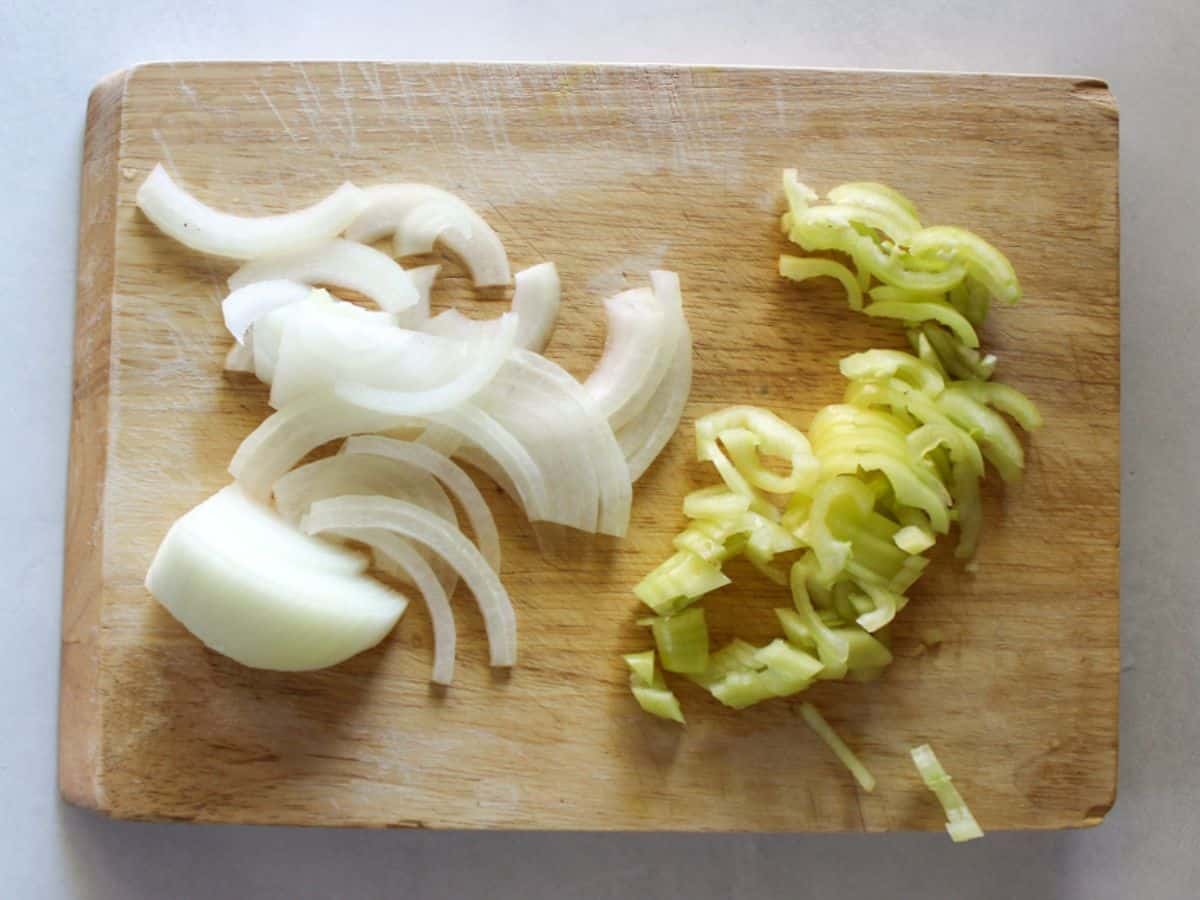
(218, 575)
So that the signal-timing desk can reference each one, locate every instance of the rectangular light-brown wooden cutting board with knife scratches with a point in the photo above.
(610, 172)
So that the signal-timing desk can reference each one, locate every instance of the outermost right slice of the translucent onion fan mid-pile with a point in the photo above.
(599, 443)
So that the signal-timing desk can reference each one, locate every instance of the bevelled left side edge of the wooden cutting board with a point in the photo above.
(83, 580)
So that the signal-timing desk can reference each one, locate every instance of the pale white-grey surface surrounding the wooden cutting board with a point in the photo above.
(50, 59)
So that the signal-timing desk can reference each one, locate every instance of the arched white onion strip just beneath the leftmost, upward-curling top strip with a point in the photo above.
(340, 263)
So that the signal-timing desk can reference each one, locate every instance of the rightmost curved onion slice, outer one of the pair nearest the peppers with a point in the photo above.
(644, 439)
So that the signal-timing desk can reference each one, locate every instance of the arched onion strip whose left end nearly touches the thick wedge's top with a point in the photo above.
(290, 435)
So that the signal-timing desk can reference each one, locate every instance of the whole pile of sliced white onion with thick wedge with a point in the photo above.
(256, 584)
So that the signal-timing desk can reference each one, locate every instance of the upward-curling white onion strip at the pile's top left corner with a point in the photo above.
(203, 229)
